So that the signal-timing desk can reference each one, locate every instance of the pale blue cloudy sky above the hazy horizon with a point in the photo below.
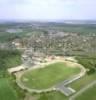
(47, 10)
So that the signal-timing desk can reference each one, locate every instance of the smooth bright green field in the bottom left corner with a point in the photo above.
(6, 90)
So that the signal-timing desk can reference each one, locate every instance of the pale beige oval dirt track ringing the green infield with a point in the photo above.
(42, 65)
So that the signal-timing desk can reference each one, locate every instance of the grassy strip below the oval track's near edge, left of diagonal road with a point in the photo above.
(50, 96)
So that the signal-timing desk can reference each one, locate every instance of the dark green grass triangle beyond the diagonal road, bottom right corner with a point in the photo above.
(89, 94)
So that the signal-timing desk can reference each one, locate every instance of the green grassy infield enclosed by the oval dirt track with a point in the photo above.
(49, 76)
